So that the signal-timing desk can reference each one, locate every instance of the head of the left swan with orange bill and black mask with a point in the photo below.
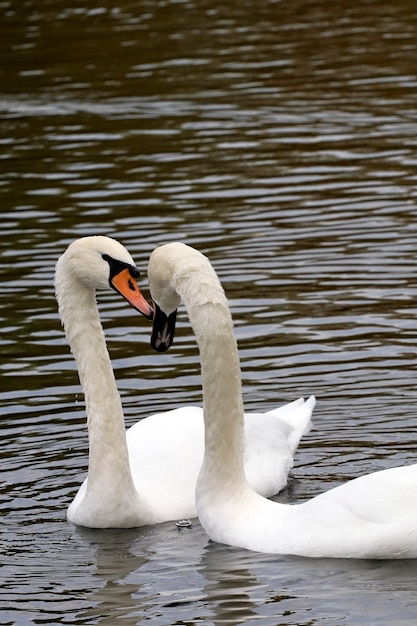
(99, 262)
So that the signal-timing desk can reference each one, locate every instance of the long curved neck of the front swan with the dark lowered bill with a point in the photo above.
(210, 318)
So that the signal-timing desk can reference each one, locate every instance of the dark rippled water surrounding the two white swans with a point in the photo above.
(278, 138)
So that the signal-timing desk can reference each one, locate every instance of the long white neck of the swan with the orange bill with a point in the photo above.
(108, 456)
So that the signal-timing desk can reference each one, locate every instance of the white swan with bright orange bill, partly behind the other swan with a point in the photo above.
(147, 475)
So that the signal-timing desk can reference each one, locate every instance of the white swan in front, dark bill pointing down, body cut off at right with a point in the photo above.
(370, 517)
